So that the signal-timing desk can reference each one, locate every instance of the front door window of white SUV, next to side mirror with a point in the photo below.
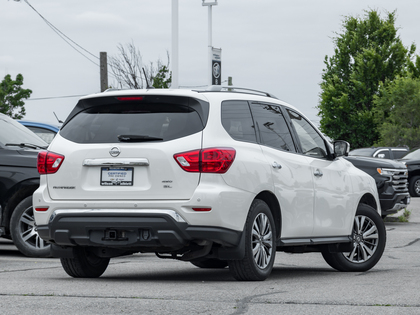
(310, 140)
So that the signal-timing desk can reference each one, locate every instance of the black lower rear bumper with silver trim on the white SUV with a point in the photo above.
(146, 231)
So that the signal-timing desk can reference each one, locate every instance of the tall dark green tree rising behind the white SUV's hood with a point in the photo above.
(367, 52)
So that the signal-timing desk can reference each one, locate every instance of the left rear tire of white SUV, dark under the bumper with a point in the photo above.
(85, 264)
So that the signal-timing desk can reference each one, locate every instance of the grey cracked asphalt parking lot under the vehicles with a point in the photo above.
(143, 284)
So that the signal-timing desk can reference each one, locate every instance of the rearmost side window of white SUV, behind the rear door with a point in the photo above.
(237, 120)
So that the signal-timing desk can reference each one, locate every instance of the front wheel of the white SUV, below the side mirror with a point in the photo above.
(369, 238)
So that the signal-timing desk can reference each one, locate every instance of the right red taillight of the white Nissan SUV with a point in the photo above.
(211, 160)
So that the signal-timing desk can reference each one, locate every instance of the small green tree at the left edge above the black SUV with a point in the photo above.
(12, 95)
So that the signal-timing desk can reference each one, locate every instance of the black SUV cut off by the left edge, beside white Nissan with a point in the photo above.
(19, 178)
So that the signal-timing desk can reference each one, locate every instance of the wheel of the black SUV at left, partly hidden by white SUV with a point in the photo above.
(24, 235)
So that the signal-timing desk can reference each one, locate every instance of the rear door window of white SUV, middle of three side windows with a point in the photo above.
(272, 127)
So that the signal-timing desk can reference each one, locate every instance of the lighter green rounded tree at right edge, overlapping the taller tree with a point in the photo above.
(397, 113)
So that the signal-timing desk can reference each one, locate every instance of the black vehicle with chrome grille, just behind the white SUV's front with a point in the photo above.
(391, 180)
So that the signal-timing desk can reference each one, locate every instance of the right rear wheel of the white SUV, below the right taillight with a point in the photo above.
(260, 245)
